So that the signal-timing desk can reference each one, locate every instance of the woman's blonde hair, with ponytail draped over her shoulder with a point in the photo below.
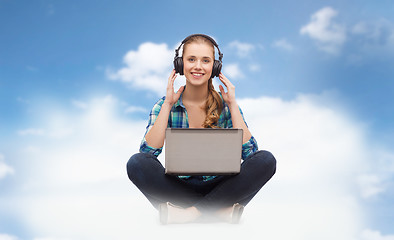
(214, 103)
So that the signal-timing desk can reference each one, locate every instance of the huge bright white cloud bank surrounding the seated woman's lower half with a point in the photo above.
(80, 181)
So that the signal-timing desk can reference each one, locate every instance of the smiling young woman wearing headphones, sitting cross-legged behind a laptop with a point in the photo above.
(182, 199)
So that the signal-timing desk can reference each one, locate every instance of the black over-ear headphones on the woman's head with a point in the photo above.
(217, 64)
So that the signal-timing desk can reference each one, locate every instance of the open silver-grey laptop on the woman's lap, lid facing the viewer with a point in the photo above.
(203, 151)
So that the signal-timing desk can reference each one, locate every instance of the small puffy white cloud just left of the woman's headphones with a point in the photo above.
(147, 68)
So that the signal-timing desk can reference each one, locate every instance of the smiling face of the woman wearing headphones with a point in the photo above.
(198, 61)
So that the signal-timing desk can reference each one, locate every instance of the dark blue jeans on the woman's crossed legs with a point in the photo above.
(147, 173)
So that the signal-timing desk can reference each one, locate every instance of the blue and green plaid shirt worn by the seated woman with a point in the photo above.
(178, 119)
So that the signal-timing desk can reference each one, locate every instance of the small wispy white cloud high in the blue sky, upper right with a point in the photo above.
(329, 35)
